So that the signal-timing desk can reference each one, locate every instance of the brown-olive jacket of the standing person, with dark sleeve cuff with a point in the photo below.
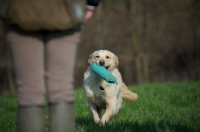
(43, 14)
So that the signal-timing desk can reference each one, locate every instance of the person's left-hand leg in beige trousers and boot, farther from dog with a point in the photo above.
(28, 56)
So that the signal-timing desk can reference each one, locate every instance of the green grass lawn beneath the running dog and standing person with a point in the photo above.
(169, 107)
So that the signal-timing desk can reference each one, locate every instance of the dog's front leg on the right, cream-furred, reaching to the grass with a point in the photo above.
(110, 108)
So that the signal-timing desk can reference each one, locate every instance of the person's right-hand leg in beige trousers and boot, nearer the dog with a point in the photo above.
(61, 54)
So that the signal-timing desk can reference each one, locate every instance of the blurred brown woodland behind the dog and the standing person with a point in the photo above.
(156, 41)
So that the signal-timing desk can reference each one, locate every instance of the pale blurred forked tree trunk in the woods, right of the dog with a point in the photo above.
(139, 51)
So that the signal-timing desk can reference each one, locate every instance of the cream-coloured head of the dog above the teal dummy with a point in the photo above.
(104, 58)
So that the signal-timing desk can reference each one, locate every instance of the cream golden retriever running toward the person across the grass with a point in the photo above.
(102, 95)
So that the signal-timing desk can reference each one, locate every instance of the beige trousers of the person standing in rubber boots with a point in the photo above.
(44, 63)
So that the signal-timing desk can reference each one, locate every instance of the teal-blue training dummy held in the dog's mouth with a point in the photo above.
(103, 73)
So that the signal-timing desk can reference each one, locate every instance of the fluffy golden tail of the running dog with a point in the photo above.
(128, 95)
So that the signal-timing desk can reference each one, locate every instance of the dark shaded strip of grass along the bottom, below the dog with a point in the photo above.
(114, 126)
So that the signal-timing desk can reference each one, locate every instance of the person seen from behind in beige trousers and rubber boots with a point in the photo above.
(43, 37)
